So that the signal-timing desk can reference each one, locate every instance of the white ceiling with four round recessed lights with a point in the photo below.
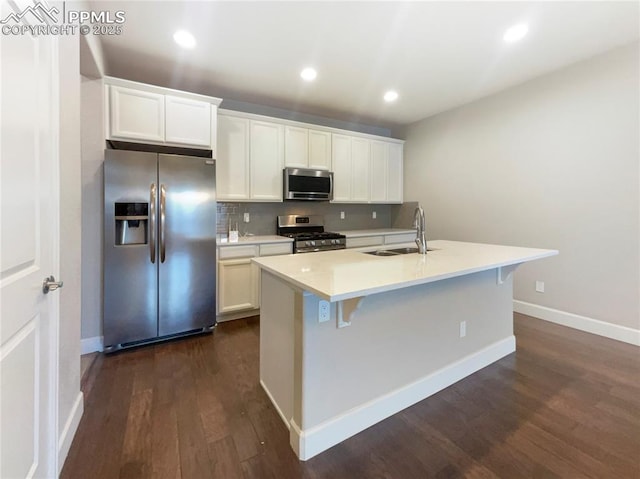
(437, 55)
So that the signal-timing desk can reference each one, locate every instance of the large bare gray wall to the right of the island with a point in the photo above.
(552, 163)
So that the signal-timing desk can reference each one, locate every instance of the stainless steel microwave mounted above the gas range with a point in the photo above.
(307, 184)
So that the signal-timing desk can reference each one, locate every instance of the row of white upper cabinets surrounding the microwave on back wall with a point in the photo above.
(253, 150)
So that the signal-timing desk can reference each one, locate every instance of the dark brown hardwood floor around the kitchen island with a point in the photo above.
(566, 404)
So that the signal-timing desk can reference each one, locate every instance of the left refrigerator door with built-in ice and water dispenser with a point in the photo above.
(130, 276)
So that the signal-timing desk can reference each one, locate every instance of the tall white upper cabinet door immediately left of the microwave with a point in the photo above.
(266, 160)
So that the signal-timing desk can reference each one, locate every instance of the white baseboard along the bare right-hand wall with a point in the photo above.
(589, 325)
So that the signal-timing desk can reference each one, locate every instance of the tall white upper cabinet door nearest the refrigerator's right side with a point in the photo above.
(232, 160)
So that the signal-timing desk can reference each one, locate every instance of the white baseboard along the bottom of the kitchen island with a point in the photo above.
(310, 442)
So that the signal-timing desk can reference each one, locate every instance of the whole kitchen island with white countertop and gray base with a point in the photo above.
(348, 338)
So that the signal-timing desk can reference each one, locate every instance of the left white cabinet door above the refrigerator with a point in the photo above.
(136, 114)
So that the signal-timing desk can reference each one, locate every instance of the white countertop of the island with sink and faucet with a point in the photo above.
(350, 273)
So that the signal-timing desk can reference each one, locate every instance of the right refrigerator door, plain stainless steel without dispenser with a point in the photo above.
(186, 244)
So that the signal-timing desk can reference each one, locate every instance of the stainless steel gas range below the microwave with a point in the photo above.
(308, 234)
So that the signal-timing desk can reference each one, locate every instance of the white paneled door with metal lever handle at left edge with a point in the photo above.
(28, 253)
